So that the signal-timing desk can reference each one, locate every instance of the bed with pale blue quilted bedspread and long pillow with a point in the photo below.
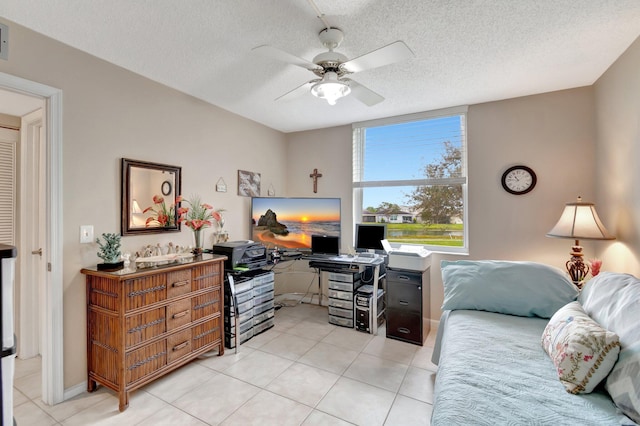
(492, 369)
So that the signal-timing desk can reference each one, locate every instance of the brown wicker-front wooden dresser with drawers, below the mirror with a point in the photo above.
(144, 323)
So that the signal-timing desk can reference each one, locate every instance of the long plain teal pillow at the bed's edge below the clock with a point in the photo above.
(526, 289)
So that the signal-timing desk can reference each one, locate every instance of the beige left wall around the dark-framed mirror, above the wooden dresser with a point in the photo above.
(110, 113)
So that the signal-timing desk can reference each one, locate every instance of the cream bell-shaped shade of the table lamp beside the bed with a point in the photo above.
(580, 221)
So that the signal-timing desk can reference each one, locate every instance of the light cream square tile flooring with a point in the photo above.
(303, 371)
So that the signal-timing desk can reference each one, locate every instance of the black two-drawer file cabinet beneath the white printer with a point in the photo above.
(408, 310)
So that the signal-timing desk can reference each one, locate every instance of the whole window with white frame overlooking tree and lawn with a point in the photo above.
(410, 172)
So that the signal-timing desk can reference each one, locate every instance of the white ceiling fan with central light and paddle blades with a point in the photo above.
(332, 67)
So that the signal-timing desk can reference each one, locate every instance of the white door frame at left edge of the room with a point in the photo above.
(52, 307)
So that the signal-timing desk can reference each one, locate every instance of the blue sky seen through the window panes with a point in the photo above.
(386, 154)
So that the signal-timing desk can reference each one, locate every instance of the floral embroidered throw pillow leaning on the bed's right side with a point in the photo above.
(582, 351)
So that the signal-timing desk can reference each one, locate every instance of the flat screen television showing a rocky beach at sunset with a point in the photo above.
(289, 223)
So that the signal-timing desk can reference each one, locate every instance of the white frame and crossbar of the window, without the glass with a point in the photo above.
(358, 169)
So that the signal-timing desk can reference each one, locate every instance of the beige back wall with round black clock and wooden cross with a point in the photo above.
(549, 132)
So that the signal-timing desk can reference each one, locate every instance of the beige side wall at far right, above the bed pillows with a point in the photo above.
(616, 168)
